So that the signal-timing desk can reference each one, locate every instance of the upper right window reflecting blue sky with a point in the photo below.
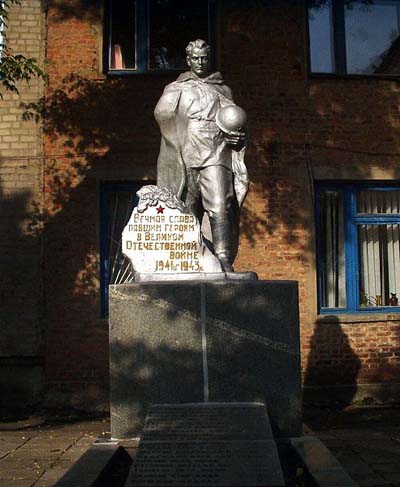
(354, 36)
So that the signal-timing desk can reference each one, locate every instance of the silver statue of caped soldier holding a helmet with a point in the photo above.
(201, 156)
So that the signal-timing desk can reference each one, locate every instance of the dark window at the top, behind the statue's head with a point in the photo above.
(151, 35)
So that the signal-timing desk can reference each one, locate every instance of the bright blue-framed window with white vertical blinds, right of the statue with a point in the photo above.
(358, 245)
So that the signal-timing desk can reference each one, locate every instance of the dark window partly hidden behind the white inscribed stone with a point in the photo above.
(116, 205)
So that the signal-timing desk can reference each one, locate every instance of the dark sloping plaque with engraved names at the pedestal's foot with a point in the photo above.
(207, 444)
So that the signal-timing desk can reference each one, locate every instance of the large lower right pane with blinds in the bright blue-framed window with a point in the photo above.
(379, 265)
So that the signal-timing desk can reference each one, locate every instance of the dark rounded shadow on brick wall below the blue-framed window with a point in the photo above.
(332, 367)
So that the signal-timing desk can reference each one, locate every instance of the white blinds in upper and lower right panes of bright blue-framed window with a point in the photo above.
(379, 250)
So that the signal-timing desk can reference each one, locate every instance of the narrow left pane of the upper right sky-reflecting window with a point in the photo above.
(321, 46)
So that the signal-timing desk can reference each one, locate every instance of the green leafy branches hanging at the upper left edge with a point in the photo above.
(14, 67)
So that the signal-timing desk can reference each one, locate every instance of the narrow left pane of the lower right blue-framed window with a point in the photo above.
(332, 271)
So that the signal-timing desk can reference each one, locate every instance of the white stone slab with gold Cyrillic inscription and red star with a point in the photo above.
(163, 237)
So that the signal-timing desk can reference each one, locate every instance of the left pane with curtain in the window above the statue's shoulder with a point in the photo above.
(122, 35)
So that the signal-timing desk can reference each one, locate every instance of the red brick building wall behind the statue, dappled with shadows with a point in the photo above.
(302, 129)
